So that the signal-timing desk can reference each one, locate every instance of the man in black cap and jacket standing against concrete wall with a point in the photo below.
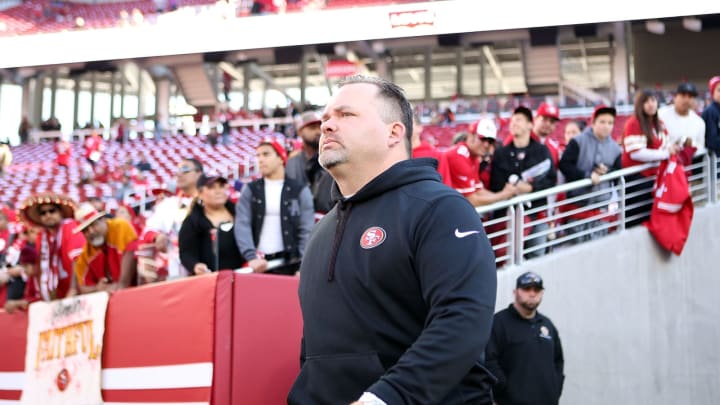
(524, 352)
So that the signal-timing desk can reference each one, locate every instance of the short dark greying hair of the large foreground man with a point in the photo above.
(399, 106)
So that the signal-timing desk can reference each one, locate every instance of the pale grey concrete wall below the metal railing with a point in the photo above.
(638, 325)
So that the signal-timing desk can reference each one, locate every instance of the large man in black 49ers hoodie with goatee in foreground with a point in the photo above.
(398, 283)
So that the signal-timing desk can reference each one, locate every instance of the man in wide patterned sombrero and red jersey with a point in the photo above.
(57, 245)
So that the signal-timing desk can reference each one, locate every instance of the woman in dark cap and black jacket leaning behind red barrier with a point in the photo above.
(206, 238)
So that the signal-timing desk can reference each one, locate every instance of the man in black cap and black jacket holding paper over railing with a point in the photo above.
(528, 165)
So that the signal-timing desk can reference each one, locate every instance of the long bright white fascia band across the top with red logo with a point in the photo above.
(198, 34)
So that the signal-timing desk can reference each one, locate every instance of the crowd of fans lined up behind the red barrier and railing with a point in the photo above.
(52, 246)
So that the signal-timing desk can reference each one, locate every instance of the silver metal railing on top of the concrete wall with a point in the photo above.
(582, 219)
